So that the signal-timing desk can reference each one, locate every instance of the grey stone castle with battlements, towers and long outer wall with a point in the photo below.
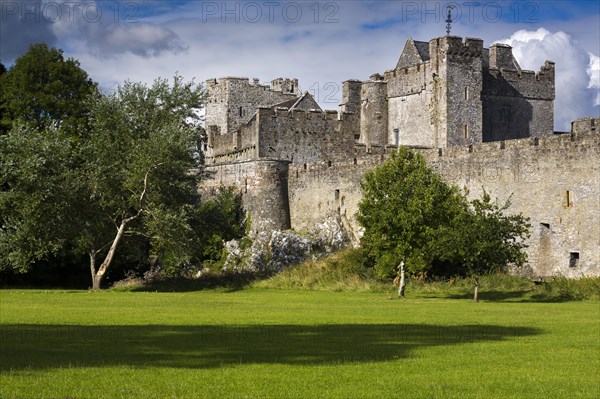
(480, 120)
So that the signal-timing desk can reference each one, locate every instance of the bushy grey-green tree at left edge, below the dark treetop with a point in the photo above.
(36, 182)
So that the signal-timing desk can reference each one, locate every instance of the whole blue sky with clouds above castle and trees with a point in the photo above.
(322, 43)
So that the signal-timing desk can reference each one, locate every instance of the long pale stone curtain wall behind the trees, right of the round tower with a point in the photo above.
(559, 193)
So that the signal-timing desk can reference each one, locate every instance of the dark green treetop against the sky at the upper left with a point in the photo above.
(42, 87)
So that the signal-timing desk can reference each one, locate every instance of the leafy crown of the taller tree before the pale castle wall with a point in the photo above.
(403, 202)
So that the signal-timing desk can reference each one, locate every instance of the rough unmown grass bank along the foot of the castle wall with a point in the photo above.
(345, 271)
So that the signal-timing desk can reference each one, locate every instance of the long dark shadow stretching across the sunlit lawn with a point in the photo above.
(208, 346)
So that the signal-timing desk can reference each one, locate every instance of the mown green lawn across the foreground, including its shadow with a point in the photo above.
(293, 344)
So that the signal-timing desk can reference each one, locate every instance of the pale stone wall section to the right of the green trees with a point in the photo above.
(555, 181)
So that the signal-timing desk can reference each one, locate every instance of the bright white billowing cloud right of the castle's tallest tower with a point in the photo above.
(576, 71)
